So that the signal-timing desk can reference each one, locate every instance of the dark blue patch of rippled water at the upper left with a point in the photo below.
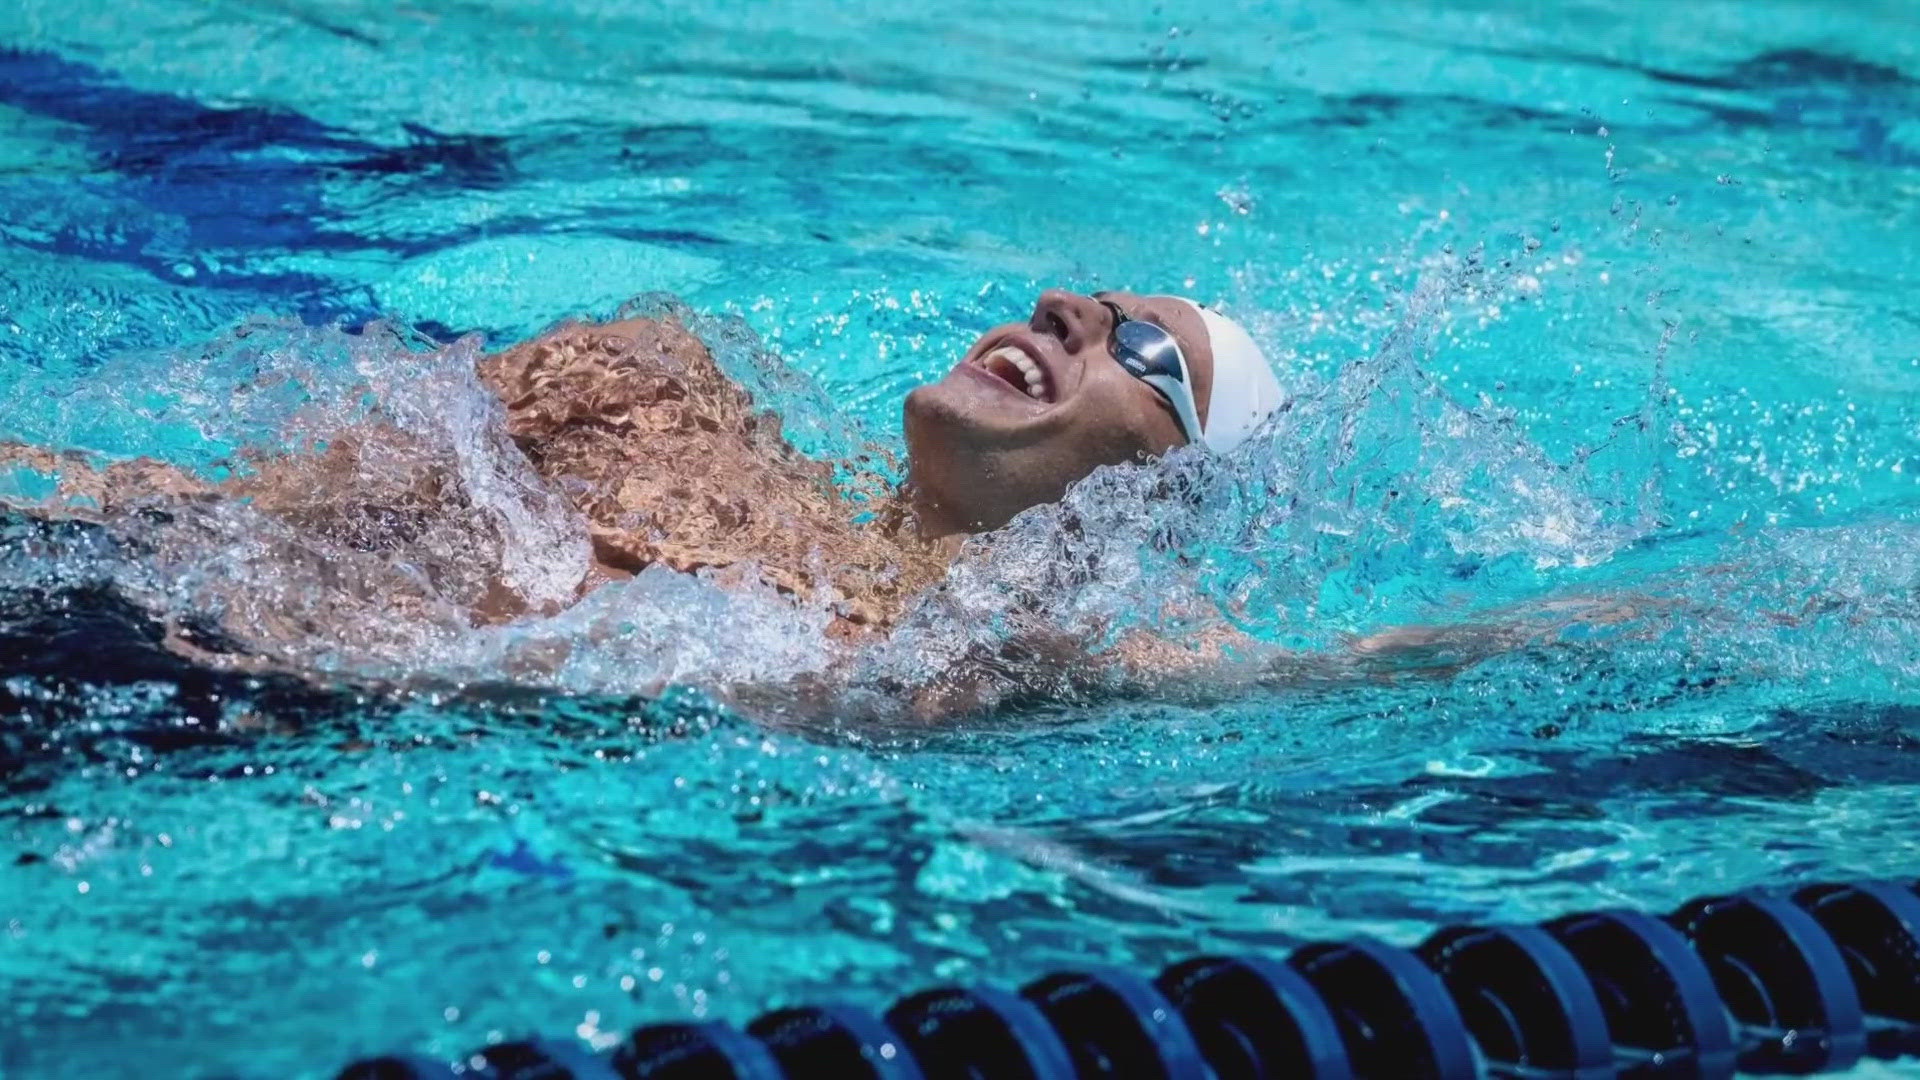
(218, 195)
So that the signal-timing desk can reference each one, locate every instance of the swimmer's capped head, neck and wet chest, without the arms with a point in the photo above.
(1028, 410)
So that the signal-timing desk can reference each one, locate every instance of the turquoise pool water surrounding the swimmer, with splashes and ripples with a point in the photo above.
(1614, 303)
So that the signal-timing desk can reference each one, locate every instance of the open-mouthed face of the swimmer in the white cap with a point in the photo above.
(1036, 406)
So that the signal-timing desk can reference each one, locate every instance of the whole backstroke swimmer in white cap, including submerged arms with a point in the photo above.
(671, 466)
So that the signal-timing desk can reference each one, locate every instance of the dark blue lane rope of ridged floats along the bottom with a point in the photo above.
(1754, 983)
